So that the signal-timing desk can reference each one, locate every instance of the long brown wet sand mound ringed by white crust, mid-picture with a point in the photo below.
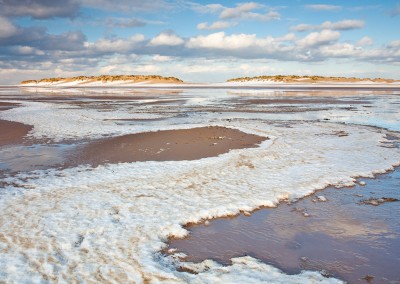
(167, 145)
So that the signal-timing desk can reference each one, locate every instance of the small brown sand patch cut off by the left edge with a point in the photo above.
(13, 132)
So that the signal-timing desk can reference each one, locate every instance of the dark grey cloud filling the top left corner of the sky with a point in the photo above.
(39, 9)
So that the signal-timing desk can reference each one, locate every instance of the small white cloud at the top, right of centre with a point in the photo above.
(245, 11)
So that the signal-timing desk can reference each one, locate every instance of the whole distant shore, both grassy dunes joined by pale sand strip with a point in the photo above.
(270, 82)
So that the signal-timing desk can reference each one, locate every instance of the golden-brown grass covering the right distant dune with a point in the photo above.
(313, 78)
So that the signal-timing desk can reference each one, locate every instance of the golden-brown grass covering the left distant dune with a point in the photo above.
(106, 78)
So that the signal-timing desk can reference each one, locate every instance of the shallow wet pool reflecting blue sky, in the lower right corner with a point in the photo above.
(332, 231)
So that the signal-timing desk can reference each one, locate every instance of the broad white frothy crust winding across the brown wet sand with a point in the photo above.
(109, 223)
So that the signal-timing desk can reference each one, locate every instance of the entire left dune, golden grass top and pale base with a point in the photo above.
(103, 80)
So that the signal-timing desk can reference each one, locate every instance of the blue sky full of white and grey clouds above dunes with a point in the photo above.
(198, 41)
